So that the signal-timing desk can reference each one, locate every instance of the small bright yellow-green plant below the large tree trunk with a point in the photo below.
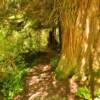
(84, 93)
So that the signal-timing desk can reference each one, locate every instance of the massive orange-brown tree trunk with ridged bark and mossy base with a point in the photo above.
(78, 32)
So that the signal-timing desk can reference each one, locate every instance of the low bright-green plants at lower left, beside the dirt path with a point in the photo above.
(12, 84)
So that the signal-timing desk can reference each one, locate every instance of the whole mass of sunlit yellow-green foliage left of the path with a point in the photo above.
(16, 38)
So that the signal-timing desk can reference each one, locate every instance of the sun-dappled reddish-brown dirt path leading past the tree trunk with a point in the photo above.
(40, 83)
